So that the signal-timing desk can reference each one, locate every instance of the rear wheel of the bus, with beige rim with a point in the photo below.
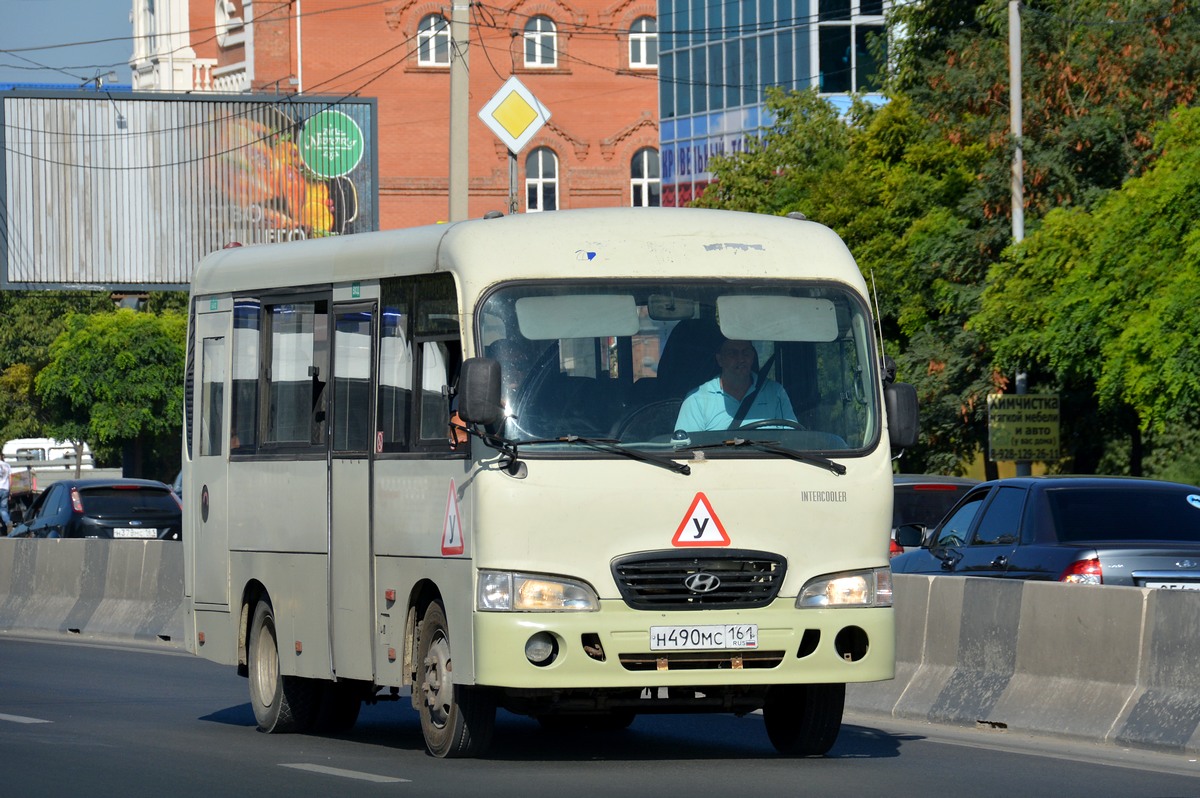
(281, 704)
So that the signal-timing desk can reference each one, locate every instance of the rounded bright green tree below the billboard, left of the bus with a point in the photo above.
(116, 379)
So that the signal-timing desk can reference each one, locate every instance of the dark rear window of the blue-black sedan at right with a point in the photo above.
(1125, 514)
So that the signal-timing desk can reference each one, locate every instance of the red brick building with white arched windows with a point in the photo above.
(593, 64)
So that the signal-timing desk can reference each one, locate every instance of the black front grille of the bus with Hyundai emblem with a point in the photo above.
(722, 580)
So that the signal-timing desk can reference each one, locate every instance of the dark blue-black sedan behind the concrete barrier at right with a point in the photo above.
(1081, 530)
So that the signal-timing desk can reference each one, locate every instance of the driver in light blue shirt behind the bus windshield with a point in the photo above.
(716, 405)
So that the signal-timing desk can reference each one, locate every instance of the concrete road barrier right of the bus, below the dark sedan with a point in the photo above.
(1108, 664)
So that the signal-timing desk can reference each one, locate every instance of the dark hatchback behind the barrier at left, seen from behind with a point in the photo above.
(135, 509)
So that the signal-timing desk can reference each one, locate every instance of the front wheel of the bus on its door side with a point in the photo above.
(457, 721)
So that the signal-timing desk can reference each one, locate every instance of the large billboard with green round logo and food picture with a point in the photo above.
(128, 191)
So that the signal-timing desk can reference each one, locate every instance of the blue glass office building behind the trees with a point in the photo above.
(718, 57)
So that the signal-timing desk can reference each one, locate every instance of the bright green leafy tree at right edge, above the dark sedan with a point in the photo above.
(1107, 298)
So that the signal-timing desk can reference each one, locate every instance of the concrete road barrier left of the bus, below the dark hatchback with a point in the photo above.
(123, 589)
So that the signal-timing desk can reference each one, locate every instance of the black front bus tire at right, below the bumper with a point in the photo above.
(805, 719)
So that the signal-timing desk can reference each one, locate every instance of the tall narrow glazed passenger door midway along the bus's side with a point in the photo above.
(350, 491)
